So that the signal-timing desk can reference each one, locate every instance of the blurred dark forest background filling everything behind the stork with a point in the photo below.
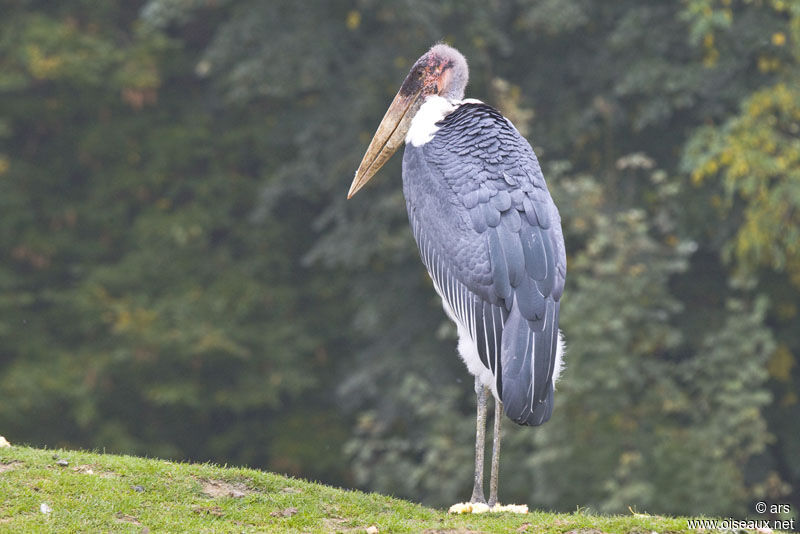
(182, 277)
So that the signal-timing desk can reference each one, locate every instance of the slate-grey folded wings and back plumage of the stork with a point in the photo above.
(491, 239)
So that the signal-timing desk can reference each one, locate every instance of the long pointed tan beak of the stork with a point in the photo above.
(387, 139)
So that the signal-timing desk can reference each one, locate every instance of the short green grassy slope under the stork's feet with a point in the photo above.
(102, 492)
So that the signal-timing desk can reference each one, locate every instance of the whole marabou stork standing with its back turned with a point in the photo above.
(489, 235)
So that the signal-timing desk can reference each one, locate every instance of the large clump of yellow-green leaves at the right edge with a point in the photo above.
(758, 155)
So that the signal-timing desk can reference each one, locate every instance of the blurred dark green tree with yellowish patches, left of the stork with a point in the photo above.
(144, 309)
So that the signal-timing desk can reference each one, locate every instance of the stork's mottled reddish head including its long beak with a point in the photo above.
(442, 71)
